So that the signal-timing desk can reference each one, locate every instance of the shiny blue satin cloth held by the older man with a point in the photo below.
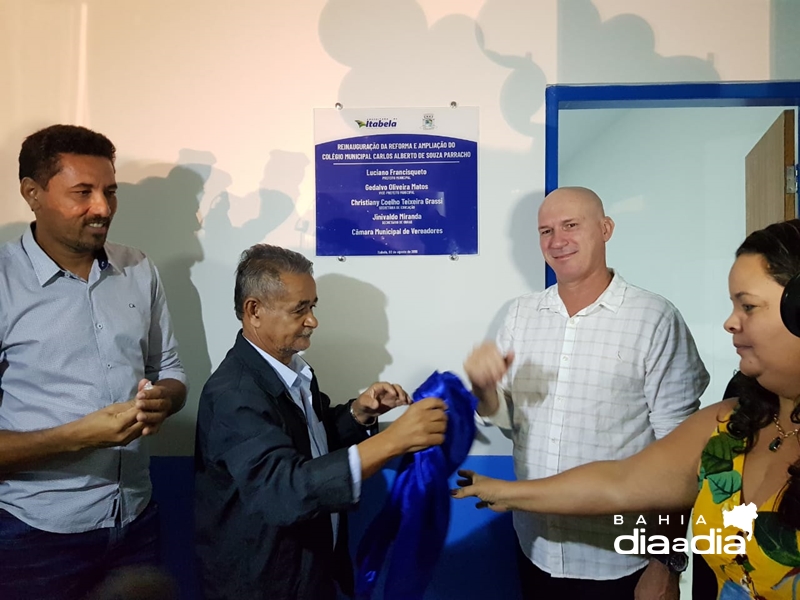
(415, 518)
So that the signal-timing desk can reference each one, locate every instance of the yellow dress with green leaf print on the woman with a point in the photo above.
(770, 566)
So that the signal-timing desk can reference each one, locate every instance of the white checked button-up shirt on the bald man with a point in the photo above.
(600, 385)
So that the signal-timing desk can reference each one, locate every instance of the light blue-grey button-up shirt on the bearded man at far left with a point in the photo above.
(69, 347)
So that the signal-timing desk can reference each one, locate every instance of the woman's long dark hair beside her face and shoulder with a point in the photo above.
(779, 246)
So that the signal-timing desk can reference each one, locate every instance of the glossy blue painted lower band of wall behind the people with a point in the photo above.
(479, 558)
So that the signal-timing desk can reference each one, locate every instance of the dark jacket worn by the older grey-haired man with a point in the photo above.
(262, 504)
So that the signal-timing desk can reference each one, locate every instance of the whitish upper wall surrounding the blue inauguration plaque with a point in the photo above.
(210, 105)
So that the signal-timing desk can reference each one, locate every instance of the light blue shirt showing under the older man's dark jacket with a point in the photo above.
(297, 379)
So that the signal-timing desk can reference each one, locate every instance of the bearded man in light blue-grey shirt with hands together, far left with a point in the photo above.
(88, 366)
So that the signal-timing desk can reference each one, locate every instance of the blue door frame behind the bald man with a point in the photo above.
(662, 95)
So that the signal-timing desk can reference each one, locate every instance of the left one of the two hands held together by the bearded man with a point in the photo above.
(114, 425)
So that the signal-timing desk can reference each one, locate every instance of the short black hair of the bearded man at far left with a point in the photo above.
(39, 157)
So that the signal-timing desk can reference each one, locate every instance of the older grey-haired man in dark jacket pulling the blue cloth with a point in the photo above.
(276, 464)
